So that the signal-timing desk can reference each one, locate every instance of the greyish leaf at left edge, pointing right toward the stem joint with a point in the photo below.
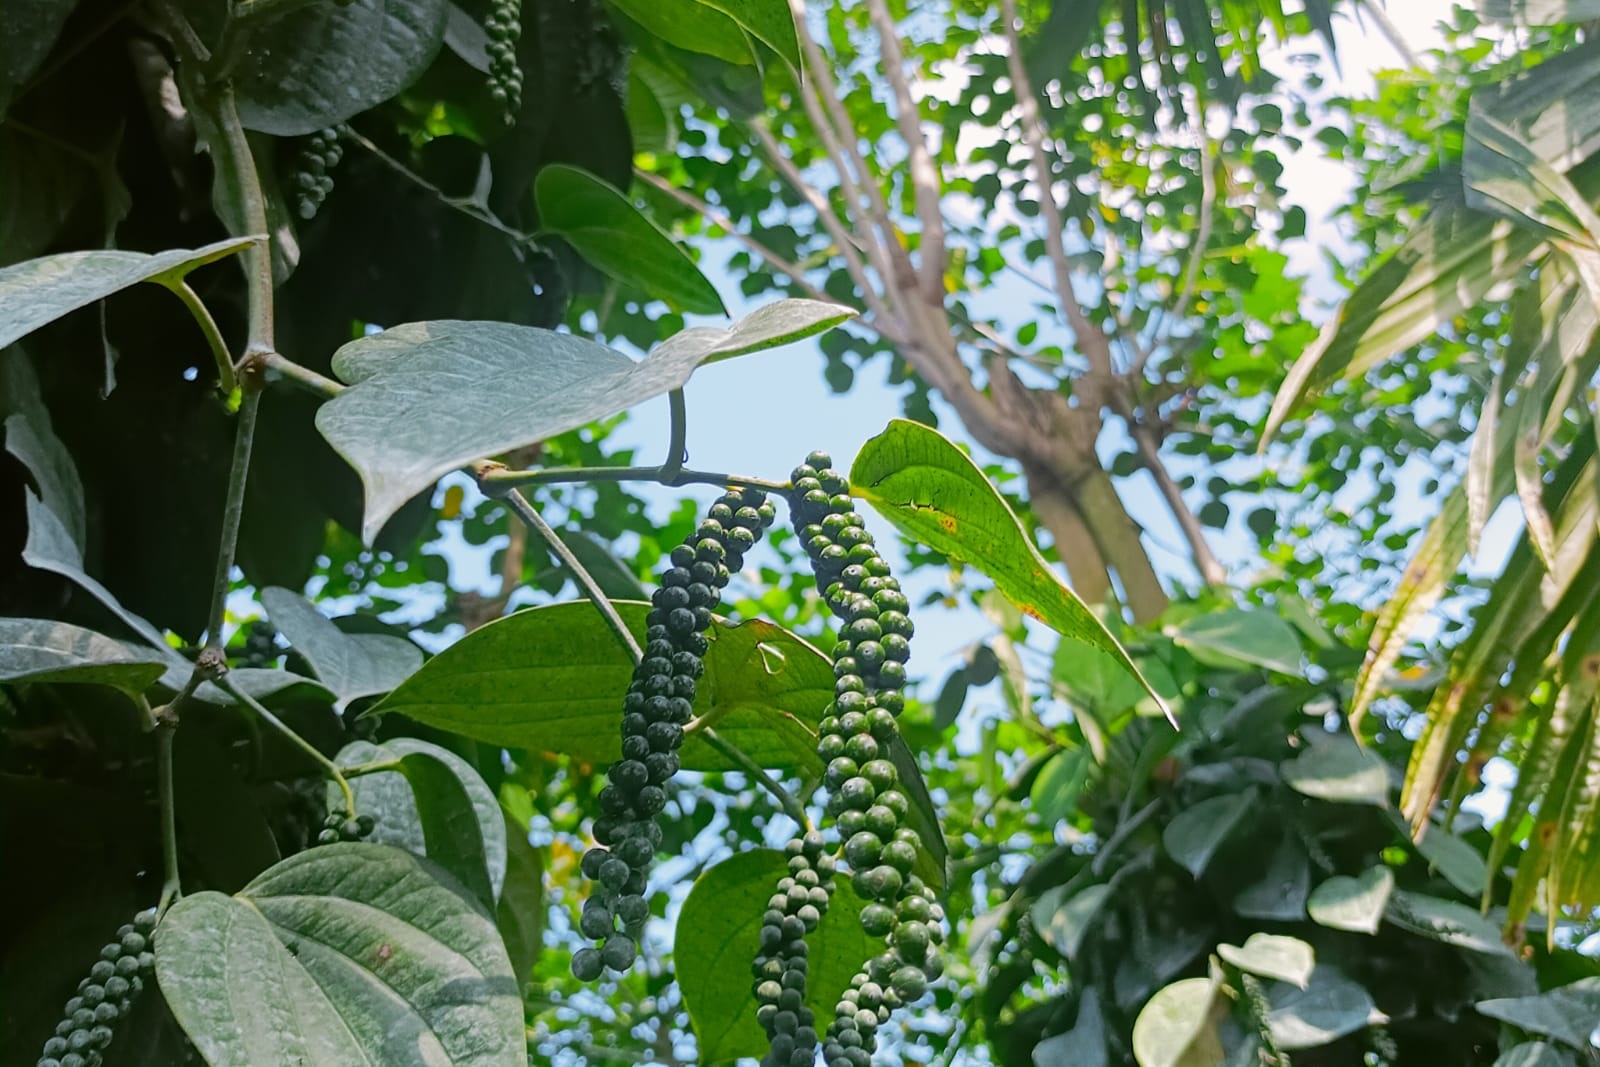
(41, 650)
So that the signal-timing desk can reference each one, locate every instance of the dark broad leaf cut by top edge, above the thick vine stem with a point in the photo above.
(326, 63)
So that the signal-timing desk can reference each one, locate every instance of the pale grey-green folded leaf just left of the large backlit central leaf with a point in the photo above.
(351, 665)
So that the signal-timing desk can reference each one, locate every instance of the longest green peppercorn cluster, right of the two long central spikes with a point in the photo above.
(854, 741)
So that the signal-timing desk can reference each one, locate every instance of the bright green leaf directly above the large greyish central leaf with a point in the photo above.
(620, 241)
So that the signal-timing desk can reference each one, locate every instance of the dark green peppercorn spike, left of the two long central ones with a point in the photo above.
(660, 701)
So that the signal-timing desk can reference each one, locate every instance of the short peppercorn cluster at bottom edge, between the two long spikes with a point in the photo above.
(793, 913)
